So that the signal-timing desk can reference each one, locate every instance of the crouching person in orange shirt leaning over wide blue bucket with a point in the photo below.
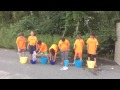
(41, 47)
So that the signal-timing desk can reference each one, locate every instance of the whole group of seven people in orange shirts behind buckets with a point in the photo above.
(63, 45)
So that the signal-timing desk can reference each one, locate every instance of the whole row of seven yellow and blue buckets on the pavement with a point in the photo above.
(44, 60)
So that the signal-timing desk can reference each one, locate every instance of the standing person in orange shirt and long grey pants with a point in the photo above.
(64, 46)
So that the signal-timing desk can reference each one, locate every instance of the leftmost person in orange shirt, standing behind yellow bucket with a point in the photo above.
(21, 45)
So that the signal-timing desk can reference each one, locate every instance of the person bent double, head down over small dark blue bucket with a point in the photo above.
(53, 52)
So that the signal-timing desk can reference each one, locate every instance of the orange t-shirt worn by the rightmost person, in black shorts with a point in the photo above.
(92, 45)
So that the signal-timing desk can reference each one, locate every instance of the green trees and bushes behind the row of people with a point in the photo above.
(50, 26)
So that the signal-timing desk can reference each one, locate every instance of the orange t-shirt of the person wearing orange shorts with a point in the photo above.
(79, 45)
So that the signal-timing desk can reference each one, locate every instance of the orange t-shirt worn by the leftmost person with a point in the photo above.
(21, 42)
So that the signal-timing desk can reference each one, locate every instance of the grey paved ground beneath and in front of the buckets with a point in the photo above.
(11, 68)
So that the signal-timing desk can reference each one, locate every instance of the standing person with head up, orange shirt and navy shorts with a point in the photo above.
(32, 43)
